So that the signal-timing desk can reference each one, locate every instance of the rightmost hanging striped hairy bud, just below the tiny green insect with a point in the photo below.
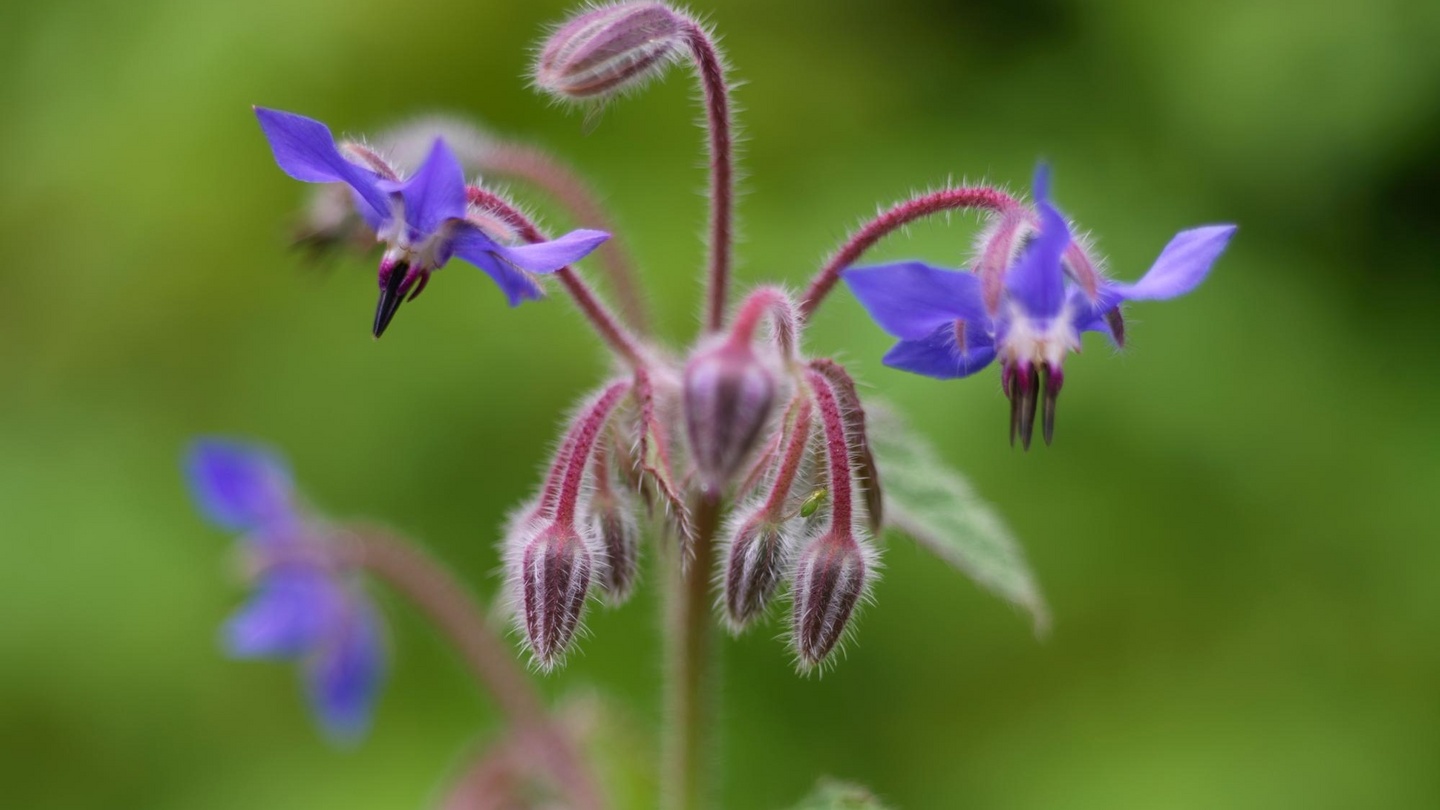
(830, 580)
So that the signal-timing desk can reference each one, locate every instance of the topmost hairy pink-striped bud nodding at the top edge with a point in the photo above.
(610, 50)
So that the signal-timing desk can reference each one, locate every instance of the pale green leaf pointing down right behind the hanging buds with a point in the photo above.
(937, 508)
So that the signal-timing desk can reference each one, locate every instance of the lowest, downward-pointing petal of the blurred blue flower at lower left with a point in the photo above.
(345, 678)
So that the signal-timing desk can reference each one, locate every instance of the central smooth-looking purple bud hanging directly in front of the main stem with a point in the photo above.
(729, 397)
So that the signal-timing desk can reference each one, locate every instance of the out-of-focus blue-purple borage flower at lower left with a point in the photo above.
(305, 607)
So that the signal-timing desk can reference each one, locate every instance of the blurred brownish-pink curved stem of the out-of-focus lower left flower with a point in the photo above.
(433, 590)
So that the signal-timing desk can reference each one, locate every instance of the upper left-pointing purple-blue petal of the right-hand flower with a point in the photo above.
(912, 299)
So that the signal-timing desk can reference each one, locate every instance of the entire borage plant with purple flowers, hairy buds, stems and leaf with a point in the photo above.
(757, 472)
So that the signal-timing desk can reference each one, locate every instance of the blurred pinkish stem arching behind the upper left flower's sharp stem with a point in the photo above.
(574, 194)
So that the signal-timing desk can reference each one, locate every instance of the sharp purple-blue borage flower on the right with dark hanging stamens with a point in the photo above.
(950, 328)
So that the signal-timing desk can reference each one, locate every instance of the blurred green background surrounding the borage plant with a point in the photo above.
(1238, 527)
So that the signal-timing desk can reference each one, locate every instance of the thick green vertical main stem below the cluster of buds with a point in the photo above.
(690, 662)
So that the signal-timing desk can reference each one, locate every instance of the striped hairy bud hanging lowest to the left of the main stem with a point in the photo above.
(555, 579)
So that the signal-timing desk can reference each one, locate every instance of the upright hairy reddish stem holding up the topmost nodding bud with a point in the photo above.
(711, 71)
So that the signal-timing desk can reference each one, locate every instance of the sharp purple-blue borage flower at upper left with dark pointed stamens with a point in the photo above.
(424, 220)
